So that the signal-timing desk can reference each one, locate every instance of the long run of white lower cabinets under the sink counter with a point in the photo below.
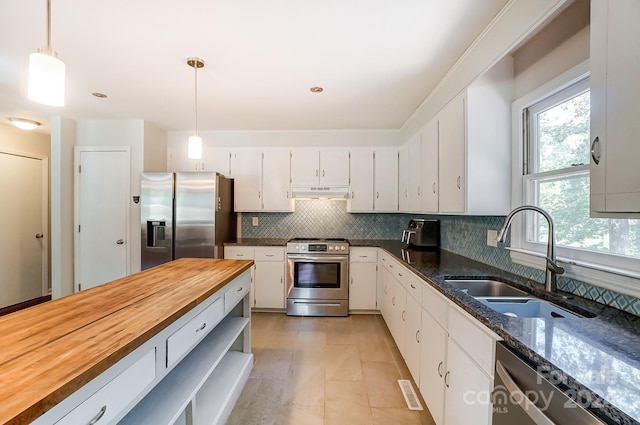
(449, 353)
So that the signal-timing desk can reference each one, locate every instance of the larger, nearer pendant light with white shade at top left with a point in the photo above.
(46, 73)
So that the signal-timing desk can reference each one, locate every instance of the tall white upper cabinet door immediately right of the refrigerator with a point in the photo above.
(246, 169)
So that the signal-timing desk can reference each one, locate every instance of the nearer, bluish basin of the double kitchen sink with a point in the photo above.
(527, 307)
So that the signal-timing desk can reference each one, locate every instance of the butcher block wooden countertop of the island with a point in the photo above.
(51, 350)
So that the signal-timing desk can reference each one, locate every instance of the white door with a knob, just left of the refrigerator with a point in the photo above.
(102, 216)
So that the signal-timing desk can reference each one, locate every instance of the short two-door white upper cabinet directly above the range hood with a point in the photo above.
(313, 167)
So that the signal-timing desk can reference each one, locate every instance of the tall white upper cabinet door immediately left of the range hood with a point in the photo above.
(276, 178)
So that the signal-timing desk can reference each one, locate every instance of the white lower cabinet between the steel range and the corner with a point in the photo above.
(363, 272)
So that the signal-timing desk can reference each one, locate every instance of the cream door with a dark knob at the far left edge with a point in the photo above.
(23, 250)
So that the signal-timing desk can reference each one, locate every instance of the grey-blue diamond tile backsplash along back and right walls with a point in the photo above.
(464, 235)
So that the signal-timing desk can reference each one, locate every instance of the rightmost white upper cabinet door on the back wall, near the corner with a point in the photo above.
(386, 180)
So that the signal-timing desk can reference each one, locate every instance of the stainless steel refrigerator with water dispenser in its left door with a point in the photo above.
(185, 215)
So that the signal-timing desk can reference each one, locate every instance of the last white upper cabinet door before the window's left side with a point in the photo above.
(451, 125)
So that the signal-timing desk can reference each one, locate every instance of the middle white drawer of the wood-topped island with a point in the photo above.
(182, 340)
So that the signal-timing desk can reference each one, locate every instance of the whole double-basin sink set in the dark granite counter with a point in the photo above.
(510, 301)
